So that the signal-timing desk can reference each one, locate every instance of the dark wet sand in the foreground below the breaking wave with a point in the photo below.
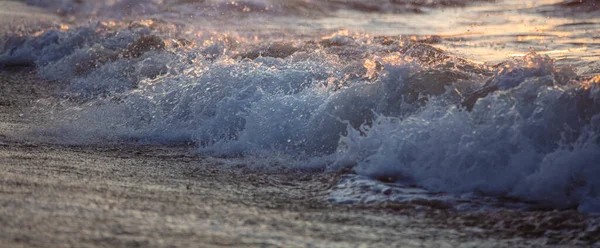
(151, 196)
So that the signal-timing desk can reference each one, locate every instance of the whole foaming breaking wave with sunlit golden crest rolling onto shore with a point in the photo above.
(391, 108)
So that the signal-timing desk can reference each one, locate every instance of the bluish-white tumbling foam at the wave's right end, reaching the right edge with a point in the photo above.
(530, 142)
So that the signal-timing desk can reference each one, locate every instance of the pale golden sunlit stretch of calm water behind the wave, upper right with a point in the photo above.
(485, 32)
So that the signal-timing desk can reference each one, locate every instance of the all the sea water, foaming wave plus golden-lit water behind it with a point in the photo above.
(467, 104)
